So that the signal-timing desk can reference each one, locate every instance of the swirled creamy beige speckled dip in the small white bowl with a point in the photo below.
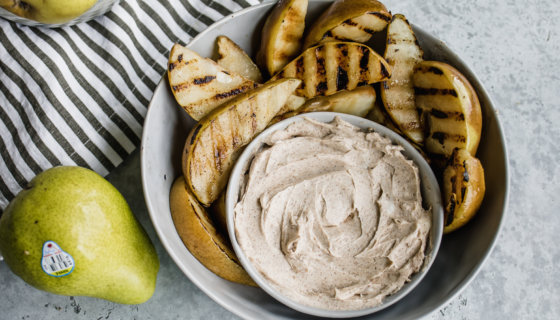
(332, 216)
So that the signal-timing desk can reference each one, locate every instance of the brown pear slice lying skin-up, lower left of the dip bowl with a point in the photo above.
(199, 235)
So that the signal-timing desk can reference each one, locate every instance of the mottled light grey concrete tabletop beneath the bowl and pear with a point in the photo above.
(514, 48)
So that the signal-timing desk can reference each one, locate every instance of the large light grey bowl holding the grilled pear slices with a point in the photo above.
(461, 253)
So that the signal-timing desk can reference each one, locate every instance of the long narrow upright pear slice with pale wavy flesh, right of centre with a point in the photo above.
(402, 53)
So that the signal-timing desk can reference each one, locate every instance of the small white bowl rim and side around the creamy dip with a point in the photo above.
(431, 198)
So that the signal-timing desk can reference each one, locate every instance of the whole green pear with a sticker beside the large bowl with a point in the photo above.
(105, 251)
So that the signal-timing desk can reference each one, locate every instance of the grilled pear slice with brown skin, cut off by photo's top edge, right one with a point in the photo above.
(348, 20)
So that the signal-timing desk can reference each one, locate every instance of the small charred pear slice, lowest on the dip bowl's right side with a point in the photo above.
(463, 189)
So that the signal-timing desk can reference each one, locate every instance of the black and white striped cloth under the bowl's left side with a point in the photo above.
(78, 95)
